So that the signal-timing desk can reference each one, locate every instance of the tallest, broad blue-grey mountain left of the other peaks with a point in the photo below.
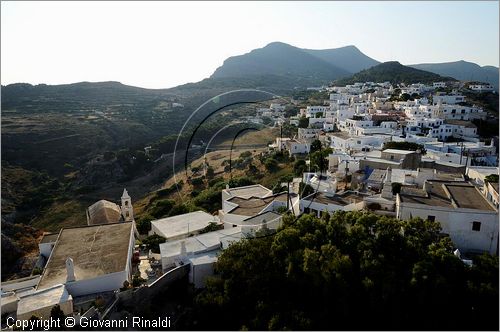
(281, 60)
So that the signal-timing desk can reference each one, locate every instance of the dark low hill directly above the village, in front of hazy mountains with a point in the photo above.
(393, 72)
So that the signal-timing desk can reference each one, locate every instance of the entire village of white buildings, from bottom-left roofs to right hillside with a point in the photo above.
(444, 180)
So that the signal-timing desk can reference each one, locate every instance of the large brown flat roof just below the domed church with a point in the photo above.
(95, 250)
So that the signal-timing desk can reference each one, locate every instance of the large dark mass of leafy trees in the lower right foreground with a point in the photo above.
(324, 274)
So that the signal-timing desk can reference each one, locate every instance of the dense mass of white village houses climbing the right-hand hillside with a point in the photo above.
(440, 177)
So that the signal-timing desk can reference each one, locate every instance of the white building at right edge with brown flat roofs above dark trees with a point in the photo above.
(463, 212)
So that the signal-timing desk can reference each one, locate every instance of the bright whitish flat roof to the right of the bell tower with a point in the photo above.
(184, 224)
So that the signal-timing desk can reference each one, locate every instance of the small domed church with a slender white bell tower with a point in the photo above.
(106, 212)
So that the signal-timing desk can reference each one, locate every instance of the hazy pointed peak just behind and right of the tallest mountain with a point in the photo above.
(349, 58)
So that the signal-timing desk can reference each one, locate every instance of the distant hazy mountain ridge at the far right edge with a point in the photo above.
(462, 70)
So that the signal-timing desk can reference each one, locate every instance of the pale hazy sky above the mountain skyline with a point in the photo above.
(163, 44)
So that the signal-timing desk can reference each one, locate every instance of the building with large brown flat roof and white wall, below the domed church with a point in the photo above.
(91, 259)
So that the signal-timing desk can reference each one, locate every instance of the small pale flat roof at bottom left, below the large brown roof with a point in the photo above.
(42, 299)
